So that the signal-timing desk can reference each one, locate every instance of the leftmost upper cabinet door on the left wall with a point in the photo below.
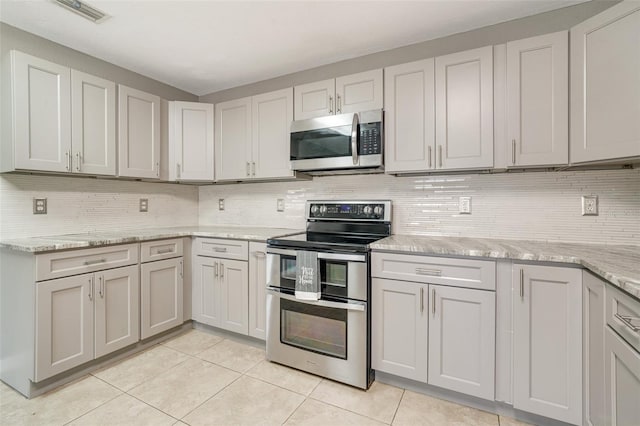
(42, 114)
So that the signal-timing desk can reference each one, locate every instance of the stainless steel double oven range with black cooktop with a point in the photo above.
(331, 336)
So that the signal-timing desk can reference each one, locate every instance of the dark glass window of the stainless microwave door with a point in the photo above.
(321, 143)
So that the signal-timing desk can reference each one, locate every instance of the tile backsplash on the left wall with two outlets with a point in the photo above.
(77, 205)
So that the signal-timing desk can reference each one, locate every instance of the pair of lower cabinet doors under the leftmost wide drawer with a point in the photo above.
(83, 317)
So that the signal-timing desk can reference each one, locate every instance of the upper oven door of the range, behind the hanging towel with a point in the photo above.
(341, 275)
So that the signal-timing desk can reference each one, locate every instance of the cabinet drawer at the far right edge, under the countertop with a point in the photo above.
(623, 315)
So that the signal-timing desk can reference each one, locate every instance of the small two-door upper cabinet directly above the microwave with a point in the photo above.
(351, 93)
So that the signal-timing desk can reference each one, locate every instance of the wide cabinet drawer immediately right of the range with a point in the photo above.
(468, 273)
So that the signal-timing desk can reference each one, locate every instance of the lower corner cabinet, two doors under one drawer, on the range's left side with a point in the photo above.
(221, 291)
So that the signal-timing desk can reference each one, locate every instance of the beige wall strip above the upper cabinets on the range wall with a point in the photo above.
(543, 23)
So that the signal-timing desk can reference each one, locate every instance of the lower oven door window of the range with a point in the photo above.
(314, 328)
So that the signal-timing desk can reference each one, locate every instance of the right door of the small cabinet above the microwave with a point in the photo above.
(359, 92)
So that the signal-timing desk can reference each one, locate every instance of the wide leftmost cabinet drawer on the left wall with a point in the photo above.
(64, 263)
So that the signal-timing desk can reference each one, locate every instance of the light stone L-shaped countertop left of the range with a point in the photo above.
(95, 239)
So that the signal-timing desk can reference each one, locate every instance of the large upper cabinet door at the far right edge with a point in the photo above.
(605, 85)
